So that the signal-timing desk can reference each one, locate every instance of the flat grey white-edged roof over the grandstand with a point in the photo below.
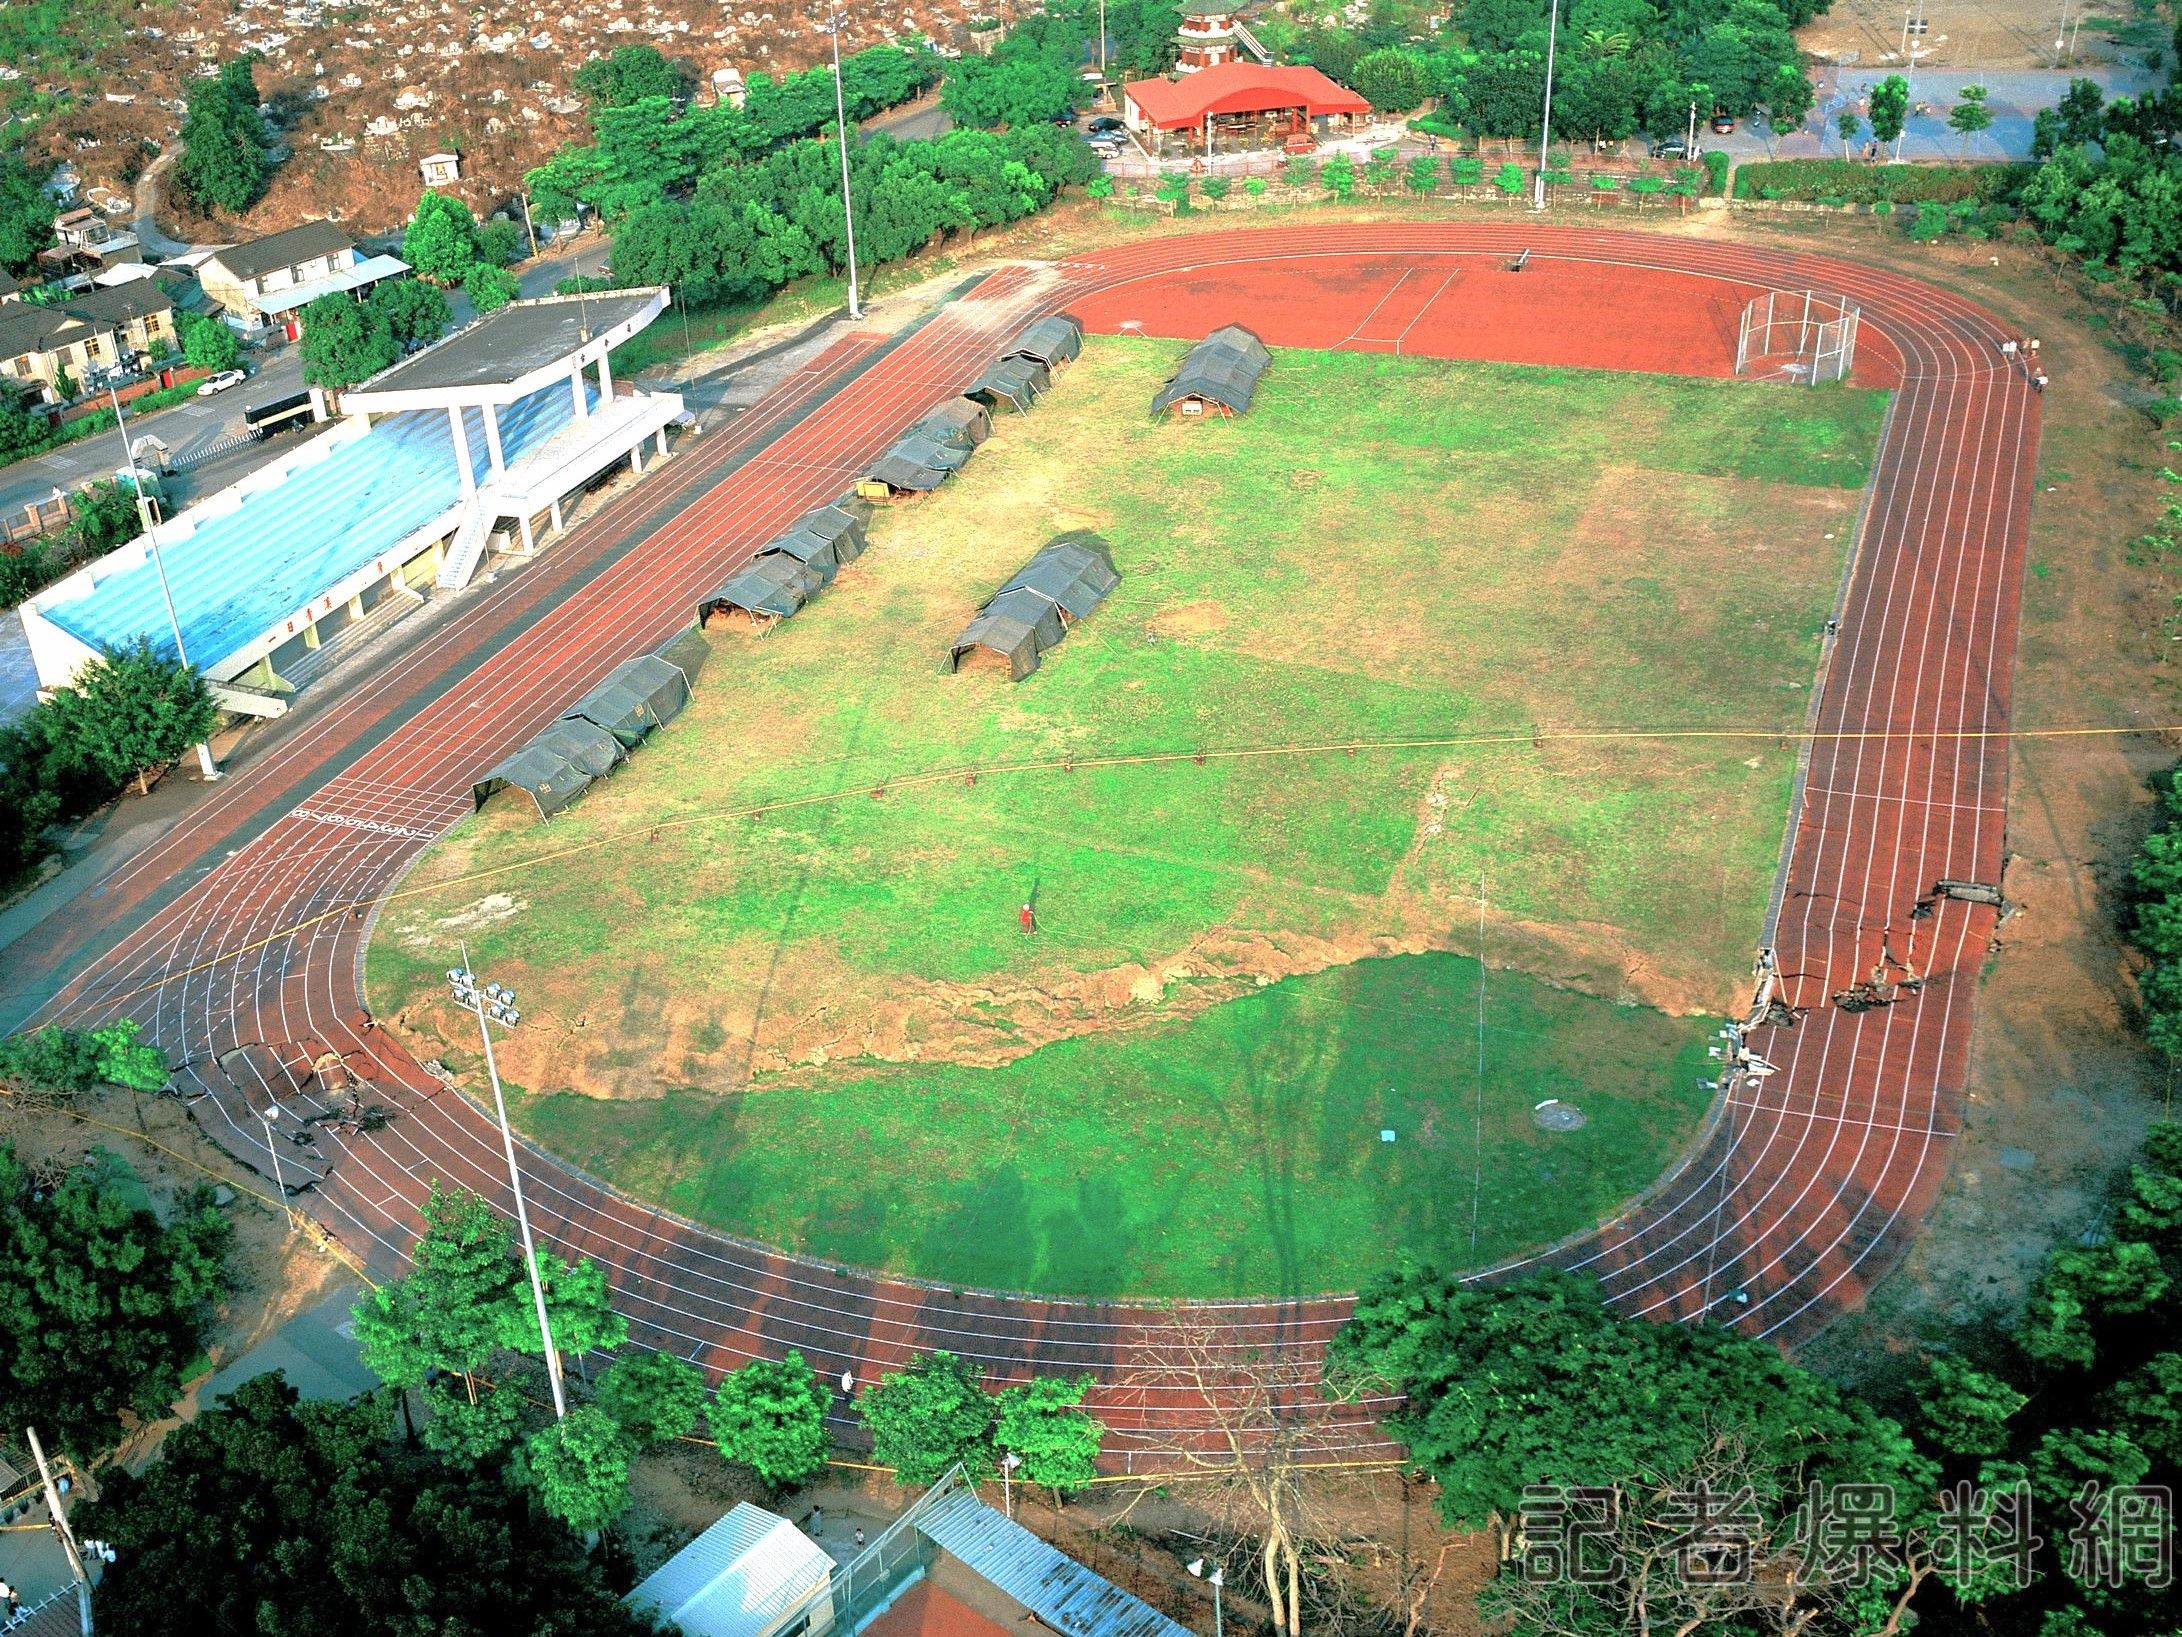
(512, 355)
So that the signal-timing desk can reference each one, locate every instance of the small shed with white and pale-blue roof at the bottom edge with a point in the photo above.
(752, 1575)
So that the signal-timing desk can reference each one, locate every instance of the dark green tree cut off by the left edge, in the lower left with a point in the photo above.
(99, 1302)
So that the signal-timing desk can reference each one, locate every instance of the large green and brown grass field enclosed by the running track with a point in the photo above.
(819, 1023)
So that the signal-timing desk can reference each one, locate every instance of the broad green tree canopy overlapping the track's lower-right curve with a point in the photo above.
(1539, 1381)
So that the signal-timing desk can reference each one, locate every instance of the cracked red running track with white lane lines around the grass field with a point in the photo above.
(1803, 1188)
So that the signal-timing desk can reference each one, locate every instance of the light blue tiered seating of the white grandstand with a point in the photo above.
(243, 573)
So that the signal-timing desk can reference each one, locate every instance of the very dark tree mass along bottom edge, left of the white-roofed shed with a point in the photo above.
(269, 1516)
